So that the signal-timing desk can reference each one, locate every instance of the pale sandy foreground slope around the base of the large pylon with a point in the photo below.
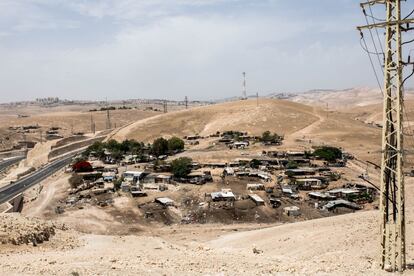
(341, 245)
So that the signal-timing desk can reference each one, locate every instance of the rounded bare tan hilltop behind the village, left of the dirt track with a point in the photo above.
(275, 115)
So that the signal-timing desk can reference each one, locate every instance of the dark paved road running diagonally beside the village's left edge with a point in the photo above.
(13, 189)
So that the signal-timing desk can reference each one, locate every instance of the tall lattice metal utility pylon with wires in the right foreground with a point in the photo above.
(392, 199)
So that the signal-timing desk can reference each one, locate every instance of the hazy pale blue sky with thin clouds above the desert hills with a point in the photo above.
(90, 49)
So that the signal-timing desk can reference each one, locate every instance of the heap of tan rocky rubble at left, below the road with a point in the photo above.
(16, 229)
